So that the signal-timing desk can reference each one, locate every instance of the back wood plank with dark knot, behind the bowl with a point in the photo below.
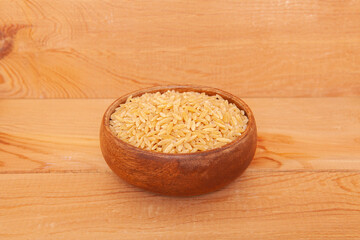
(97, 49)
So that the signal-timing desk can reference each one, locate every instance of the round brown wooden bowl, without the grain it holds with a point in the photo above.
(179, 174)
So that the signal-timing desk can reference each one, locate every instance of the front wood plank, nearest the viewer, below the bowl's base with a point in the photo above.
(271, 205)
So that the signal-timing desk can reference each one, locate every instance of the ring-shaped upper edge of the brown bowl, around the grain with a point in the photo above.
(183, 88)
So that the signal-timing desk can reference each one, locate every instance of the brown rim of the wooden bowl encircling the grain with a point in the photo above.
(196, 88)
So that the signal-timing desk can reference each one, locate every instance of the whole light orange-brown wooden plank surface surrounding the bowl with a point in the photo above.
(296, 63)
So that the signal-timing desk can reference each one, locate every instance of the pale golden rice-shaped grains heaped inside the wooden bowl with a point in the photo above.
(175, 122)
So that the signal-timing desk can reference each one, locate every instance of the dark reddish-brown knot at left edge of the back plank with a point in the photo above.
(7, 34)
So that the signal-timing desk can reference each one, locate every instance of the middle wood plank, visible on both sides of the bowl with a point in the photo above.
(60, 135)
